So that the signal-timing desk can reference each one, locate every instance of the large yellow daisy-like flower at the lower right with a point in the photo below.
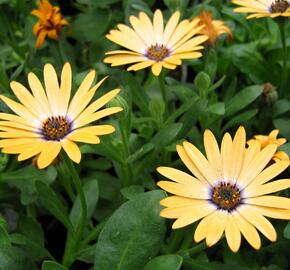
(228, 190)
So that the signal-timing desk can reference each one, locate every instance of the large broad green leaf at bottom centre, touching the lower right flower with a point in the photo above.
(132, 235)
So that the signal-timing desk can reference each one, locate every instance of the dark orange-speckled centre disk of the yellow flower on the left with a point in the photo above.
(55, 128)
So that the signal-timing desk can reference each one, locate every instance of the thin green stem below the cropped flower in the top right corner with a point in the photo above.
(284, 75)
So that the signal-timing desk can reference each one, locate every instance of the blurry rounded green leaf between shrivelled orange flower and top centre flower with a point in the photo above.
(91, 25)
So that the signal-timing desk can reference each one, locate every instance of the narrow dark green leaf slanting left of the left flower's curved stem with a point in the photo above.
(50, 200)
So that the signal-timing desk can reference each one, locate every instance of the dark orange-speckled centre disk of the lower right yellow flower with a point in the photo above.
(226, 196)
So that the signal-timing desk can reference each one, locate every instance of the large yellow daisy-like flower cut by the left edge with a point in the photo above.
(48, 120)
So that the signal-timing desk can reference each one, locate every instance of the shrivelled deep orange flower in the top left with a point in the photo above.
(50, 22)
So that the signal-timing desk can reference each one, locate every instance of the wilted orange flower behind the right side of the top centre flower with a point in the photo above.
(212, 28)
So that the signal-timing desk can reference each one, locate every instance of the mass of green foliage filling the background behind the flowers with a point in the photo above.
(219, 91)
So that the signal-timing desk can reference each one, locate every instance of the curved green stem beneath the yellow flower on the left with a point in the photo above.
(72, 244)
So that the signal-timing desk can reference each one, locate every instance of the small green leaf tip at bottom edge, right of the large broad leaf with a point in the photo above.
(164, 262)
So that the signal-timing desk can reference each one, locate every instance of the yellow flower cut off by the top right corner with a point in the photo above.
(263, 8)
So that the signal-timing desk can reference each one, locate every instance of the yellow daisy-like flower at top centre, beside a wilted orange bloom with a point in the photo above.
(150, 44)
